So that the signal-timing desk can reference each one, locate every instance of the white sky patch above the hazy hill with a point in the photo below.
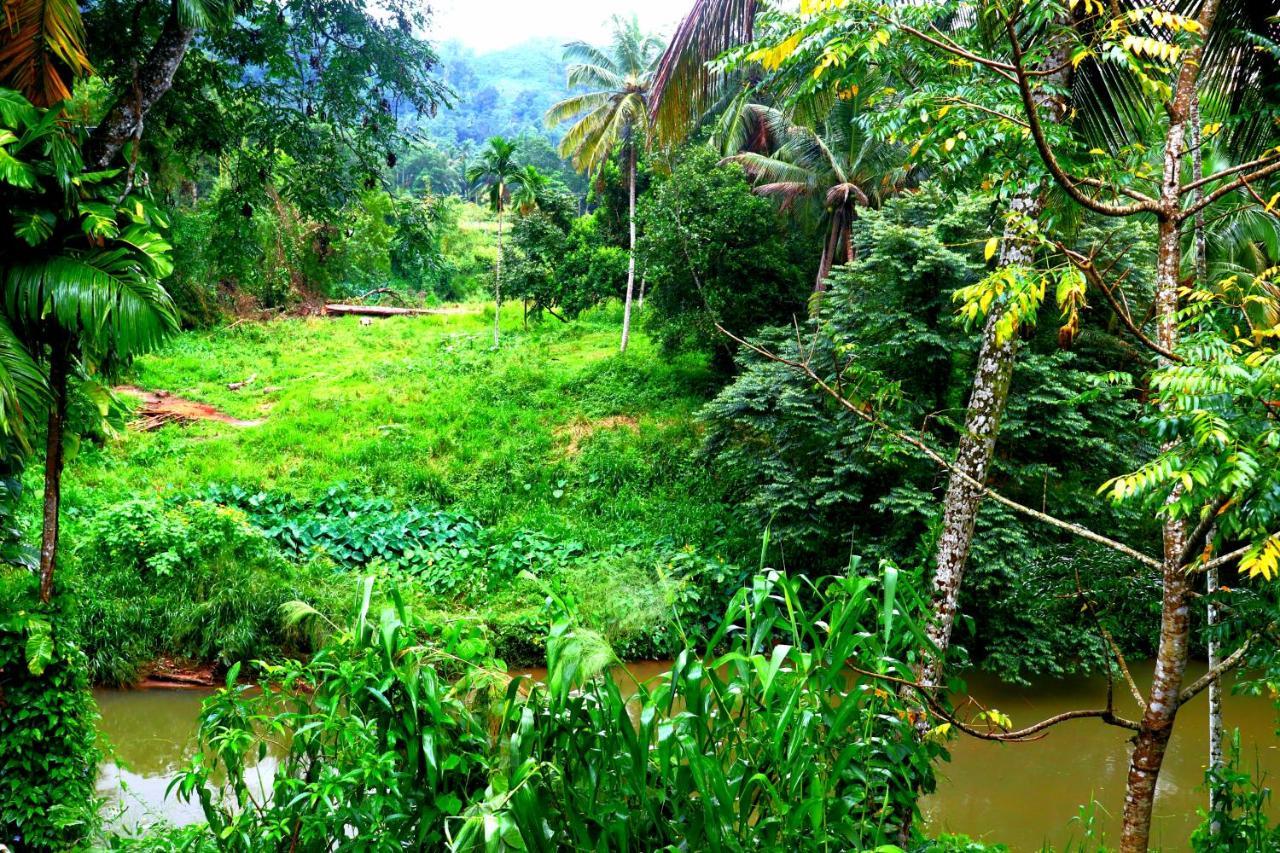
(493, 25)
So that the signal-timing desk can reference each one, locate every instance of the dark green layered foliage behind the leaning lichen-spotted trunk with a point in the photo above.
(826, 477)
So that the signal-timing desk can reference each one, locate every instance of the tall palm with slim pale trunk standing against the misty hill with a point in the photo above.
(615, 111)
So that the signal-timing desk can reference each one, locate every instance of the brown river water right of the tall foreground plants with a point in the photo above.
(1027, 795)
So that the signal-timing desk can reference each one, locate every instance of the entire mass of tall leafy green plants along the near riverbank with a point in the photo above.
(399, 735)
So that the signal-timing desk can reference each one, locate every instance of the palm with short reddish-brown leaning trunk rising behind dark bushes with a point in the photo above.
(835, 171)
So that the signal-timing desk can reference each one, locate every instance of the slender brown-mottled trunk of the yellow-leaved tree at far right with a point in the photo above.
(1158, 720)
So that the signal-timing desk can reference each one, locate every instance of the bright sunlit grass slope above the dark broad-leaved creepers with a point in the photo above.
(555, 431)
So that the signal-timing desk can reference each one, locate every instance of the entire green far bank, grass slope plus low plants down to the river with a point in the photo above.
(412, 450)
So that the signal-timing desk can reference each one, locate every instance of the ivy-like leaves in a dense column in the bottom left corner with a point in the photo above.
(48, 755)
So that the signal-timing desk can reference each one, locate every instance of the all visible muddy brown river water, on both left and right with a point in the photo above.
(1025, 796)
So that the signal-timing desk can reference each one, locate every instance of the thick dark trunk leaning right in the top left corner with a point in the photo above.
(124, 122)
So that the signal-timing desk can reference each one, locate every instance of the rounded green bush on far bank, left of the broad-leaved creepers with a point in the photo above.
(193, 581)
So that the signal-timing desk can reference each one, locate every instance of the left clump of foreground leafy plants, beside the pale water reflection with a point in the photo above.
(387, 738)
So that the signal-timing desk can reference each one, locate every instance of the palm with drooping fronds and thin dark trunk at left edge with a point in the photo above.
(81, 264)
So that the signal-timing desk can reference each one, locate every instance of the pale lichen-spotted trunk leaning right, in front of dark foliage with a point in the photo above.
(977, 445)
